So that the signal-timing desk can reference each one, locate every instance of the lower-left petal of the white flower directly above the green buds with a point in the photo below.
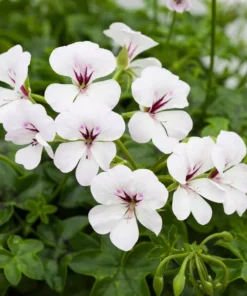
(181, 205)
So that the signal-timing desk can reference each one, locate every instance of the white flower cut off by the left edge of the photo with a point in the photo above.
(13, 71)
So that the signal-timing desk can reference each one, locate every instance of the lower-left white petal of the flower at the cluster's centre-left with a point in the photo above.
(68, 155)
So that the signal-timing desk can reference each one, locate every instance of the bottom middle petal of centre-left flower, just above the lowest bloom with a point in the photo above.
(86, 170)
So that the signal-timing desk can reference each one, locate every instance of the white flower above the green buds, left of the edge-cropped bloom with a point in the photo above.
(189, 160)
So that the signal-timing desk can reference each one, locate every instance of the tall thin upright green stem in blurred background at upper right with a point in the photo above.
(209, 95)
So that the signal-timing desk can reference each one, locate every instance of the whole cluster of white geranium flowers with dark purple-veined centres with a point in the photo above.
(88, 130)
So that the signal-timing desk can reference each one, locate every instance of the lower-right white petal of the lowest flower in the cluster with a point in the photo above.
(149, 218)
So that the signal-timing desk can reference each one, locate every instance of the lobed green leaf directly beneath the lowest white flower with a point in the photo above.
(114, 270)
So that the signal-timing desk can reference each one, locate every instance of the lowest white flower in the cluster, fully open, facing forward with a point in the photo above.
(126, 197)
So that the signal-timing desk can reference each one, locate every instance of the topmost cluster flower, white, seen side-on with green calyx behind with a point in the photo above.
(135, 43)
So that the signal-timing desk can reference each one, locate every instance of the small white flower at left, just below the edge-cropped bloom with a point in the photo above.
(30, 124)
